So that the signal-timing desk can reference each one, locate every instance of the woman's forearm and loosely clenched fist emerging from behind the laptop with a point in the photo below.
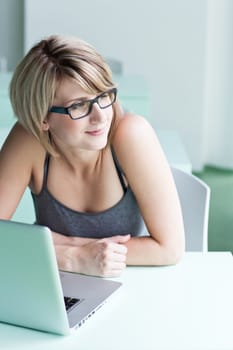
(100, 257)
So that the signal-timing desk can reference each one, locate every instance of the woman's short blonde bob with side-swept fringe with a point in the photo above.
(36, 78)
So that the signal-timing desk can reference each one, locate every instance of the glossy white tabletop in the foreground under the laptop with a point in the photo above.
(185, 307)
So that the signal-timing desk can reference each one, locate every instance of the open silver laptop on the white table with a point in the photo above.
(34, 293)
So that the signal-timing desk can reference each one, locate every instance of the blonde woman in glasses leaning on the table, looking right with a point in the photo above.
(98, 176)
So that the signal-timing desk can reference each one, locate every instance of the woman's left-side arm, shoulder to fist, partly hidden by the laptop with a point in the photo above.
(21, 160)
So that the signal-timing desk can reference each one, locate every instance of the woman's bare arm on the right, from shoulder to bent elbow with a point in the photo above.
(148, 174)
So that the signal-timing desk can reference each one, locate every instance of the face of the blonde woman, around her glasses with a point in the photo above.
(90, 132)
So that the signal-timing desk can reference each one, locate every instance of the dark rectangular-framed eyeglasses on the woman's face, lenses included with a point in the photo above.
(82, 109)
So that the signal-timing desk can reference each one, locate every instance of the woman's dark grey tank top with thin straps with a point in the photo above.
(121, 219)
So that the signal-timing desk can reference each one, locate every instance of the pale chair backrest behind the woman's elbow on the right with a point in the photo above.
(194, 197)
